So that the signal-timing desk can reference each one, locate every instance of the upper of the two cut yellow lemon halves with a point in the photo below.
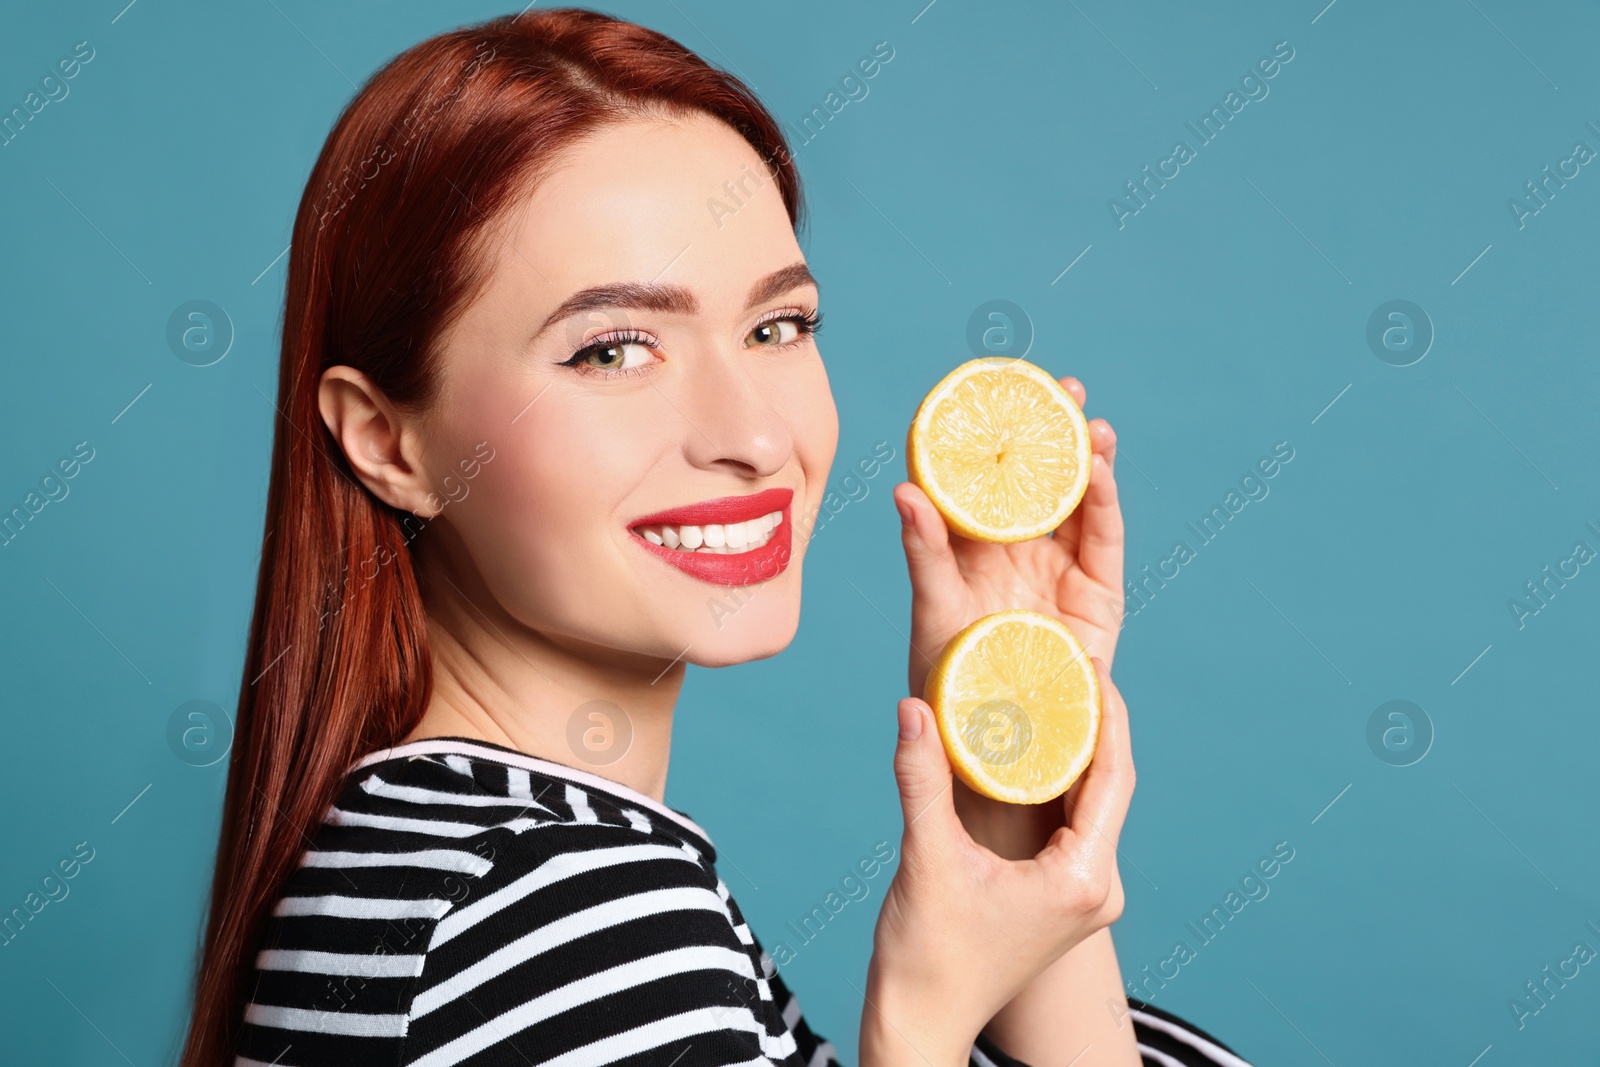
(1001, 449)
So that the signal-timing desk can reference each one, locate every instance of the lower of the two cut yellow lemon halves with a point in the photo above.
(1018, 706)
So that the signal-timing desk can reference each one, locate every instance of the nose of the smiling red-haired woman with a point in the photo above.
(732, 423)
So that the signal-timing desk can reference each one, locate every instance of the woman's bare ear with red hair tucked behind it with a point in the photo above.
(382, 444)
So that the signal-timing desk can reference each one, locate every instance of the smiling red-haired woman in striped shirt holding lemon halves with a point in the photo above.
(537, 406)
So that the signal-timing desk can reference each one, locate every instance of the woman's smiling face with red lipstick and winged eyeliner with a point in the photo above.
(642, 346)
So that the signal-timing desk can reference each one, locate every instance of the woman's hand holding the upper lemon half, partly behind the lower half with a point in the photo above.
(1074, 575)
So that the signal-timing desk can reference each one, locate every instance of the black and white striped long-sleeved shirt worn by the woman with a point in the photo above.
(468, 905)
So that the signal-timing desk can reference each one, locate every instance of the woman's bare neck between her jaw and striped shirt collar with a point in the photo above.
(596, 709)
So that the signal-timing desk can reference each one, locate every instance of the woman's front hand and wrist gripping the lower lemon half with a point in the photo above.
(964, 930)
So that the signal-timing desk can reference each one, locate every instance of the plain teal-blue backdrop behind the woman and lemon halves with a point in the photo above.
(1223, 319)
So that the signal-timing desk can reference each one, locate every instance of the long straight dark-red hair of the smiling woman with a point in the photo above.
(385, 255)
